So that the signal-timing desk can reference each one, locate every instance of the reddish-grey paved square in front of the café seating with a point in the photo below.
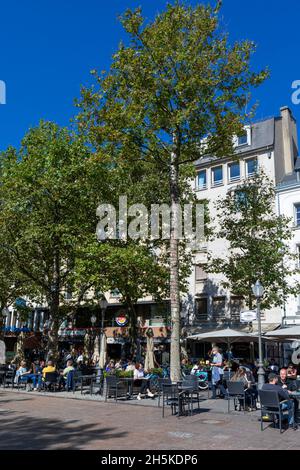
(33, 421)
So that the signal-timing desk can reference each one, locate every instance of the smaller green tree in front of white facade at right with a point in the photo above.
(258, 242)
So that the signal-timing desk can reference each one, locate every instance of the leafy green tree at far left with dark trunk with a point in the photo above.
(47, 206)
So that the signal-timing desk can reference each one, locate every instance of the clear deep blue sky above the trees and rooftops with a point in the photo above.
(47, 49)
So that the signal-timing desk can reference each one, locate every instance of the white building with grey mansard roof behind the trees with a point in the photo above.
(270, 144)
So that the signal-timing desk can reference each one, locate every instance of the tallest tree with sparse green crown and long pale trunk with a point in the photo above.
(175, 92)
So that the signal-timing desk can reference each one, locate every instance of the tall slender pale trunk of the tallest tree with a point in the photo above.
(174, 270)
